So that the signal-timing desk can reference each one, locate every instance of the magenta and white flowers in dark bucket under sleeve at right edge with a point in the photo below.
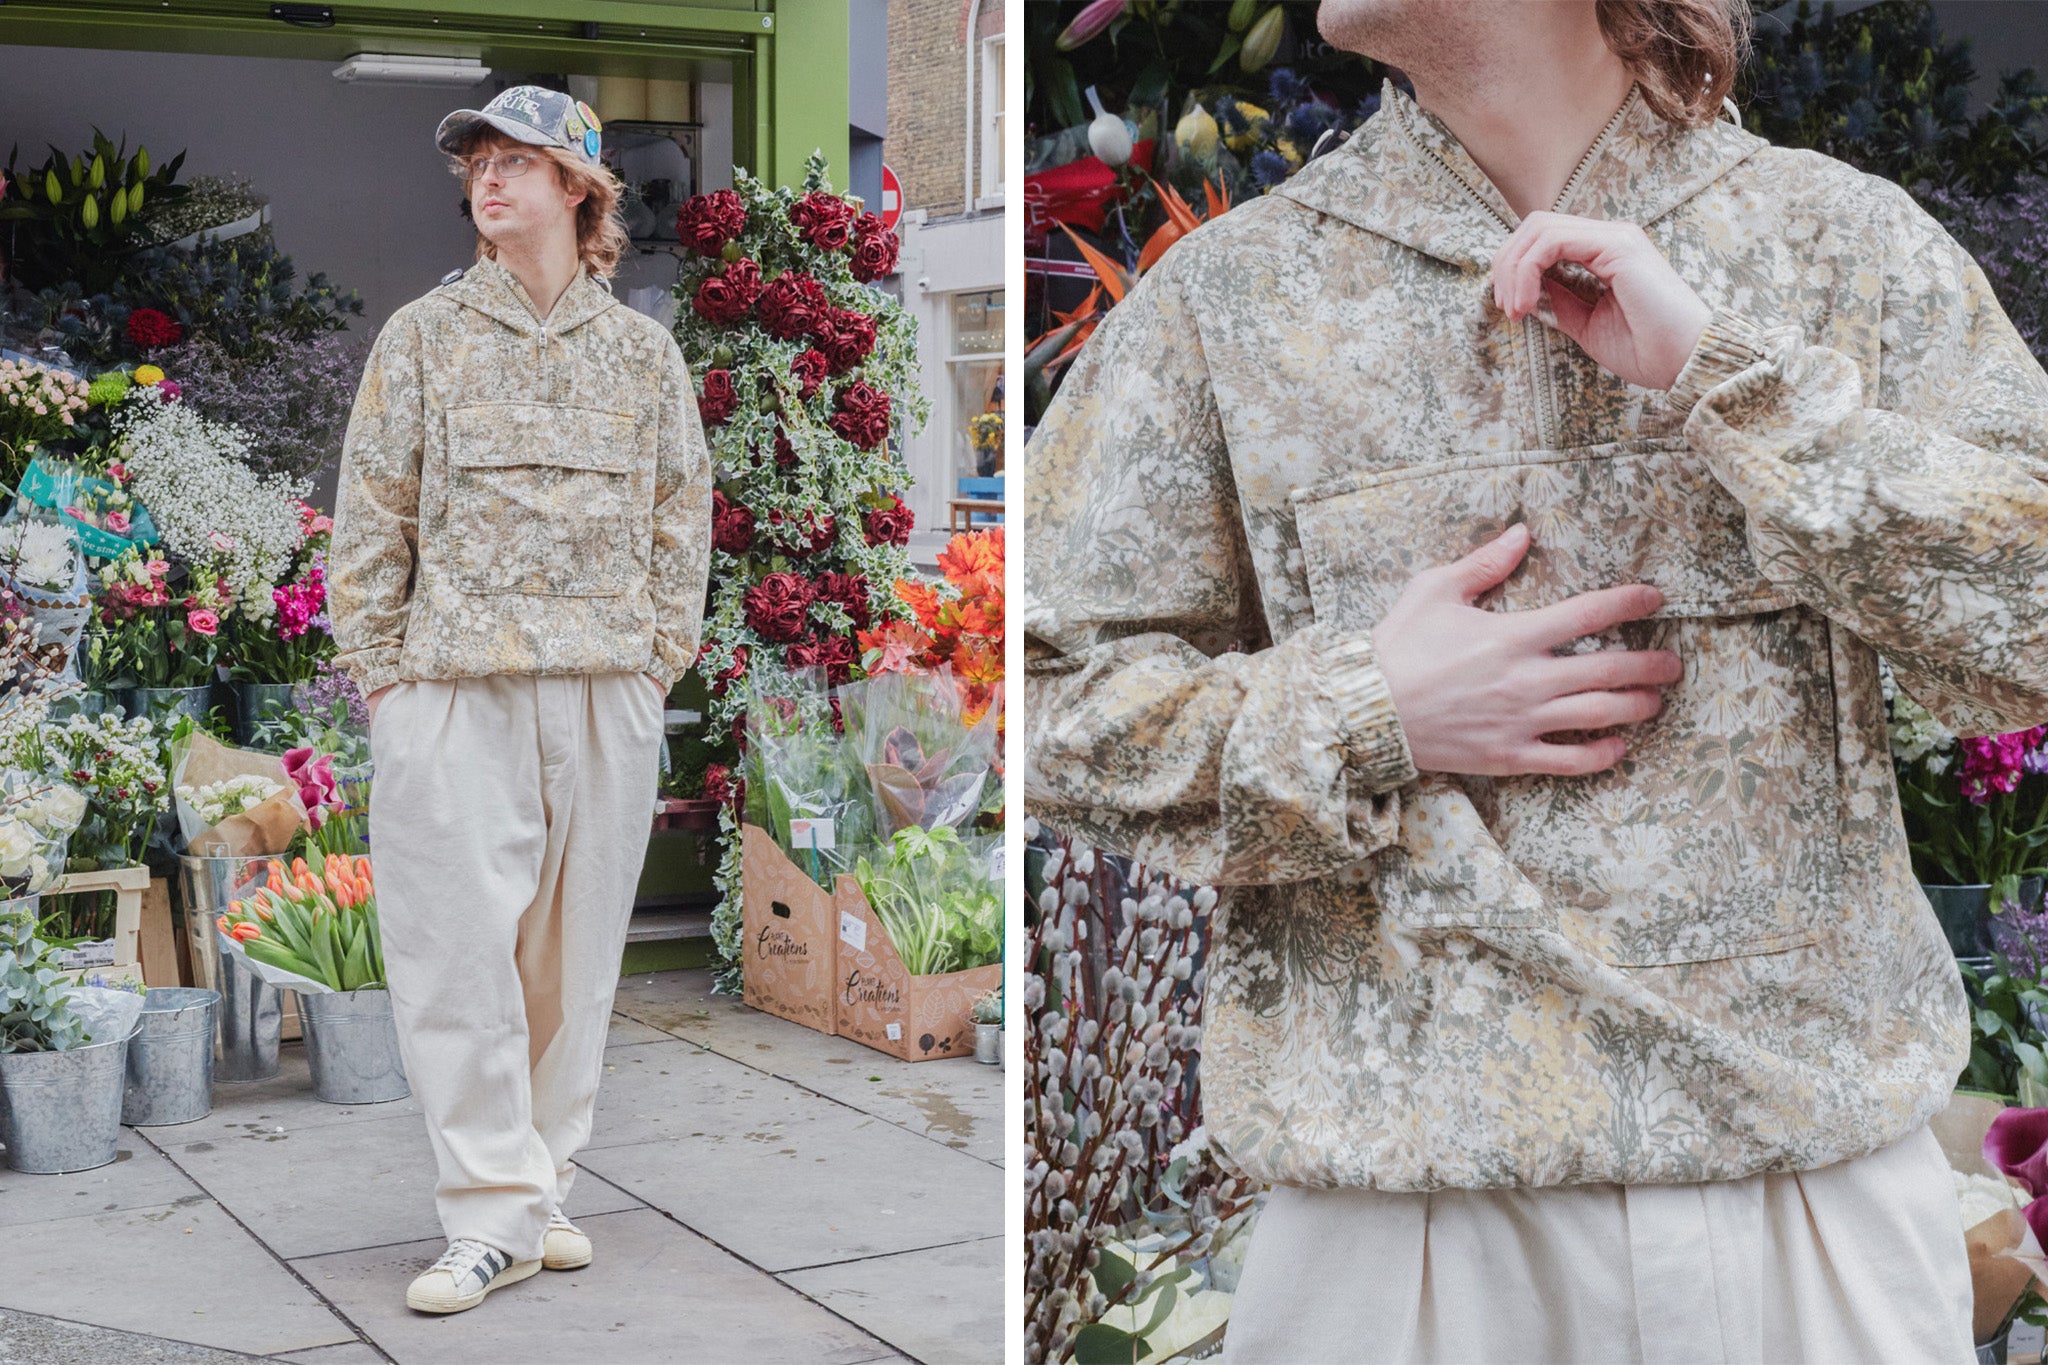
(1977, 824)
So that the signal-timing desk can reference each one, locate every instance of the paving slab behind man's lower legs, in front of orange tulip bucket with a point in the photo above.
(339, 1186)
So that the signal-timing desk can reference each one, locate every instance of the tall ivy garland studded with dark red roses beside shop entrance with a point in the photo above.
(804, 371)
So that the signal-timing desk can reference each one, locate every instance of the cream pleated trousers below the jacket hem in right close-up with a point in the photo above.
(1857, 1262)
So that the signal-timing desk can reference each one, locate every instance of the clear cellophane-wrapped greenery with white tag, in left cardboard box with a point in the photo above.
(804, 785)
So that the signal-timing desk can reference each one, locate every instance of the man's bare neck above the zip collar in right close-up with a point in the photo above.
(1531, 112)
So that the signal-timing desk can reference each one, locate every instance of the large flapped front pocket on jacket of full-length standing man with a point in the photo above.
(546, 500)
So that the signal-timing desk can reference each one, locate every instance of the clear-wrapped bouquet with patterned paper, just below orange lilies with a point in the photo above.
(925, 764)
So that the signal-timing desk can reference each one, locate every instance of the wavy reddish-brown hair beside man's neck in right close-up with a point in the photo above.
(1682, 52)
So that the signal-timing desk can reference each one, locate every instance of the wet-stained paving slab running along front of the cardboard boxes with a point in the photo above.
(955, 1102)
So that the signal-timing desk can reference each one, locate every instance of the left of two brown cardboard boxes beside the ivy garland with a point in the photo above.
(790, 936)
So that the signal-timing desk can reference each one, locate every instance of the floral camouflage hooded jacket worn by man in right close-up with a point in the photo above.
(1707, 963)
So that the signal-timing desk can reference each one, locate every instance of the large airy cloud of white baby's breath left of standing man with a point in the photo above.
(208, 504)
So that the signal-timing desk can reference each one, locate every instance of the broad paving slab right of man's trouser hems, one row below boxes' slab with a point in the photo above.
(845, 1184)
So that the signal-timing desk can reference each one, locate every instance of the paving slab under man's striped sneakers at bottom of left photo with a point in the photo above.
(654, 1294)
